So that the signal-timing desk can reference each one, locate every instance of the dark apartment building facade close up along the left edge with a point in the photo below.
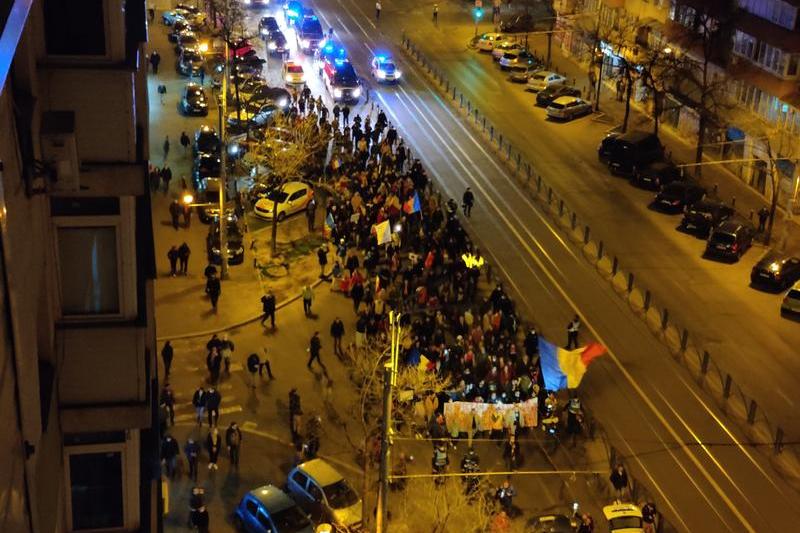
(78, 373)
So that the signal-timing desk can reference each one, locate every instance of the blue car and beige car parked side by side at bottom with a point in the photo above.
(315, 493)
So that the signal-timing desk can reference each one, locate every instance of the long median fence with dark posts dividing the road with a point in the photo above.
(685, 345)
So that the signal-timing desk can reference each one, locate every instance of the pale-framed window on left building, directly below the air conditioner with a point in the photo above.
(95, 251)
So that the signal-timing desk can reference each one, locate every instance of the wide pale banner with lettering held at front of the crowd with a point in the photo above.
(459, 416)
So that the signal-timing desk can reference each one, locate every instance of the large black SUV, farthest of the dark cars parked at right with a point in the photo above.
(627, 152)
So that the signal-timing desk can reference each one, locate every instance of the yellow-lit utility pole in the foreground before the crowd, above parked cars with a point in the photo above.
(389, 381)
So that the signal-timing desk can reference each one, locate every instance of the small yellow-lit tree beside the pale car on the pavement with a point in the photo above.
(292, 149)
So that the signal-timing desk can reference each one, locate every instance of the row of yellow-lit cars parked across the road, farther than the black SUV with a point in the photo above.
(561, 101)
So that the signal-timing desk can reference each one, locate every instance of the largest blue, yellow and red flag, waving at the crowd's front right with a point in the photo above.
(564, 369)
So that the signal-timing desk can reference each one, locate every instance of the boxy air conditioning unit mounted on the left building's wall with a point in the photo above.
(60, 149)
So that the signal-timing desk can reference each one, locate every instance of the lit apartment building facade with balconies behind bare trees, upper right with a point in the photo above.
(759, 61)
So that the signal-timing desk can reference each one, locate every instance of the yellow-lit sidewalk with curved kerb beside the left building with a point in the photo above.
(241, 293)
